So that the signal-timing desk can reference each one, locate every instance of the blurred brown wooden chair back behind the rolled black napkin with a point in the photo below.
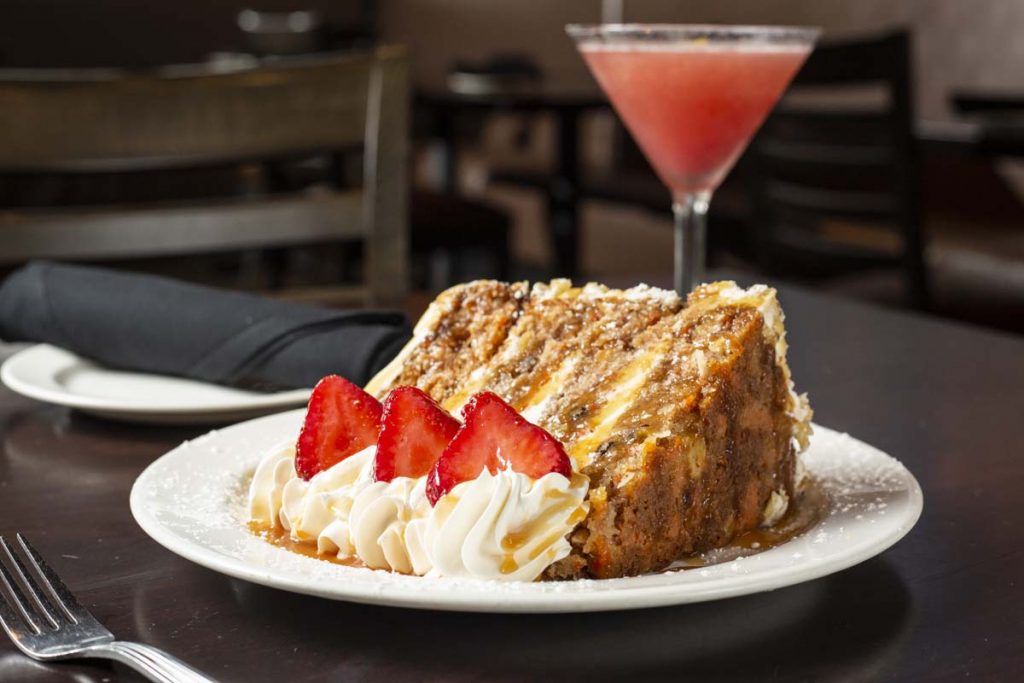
(97, 122)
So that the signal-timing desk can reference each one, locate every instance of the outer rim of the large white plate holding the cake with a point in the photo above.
(613, 599)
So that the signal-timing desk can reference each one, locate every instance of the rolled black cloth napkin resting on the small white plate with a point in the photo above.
(156, 325)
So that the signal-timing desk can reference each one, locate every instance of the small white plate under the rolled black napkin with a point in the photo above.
(58, 376)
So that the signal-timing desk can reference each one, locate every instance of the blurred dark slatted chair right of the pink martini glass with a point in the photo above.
(836, 183)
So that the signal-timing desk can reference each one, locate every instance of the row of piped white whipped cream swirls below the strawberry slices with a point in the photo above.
(499, 527)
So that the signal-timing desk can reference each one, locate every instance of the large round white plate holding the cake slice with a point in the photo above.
(192, 501)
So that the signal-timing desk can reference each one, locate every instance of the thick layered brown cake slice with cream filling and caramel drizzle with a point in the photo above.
(682, 415)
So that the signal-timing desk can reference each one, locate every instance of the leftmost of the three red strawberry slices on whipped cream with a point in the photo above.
(342, 420)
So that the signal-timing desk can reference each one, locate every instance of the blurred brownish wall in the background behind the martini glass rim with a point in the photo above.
(974, 44)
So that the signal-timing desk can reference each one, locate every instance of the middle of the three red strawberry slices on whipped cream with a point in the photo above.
(414, 435)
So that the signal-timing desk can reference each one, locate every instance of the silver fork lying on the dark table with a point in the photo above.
(48, 623)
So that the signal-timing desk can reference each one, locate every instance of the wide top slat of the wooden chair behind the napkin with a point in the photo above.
(121, 121)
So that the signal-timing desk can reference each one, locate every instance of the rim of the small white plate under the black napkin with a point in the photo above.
(15, 380)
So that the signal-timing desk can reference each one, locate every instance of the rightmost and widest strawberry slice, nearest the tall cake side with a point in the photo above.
(494, 436)
